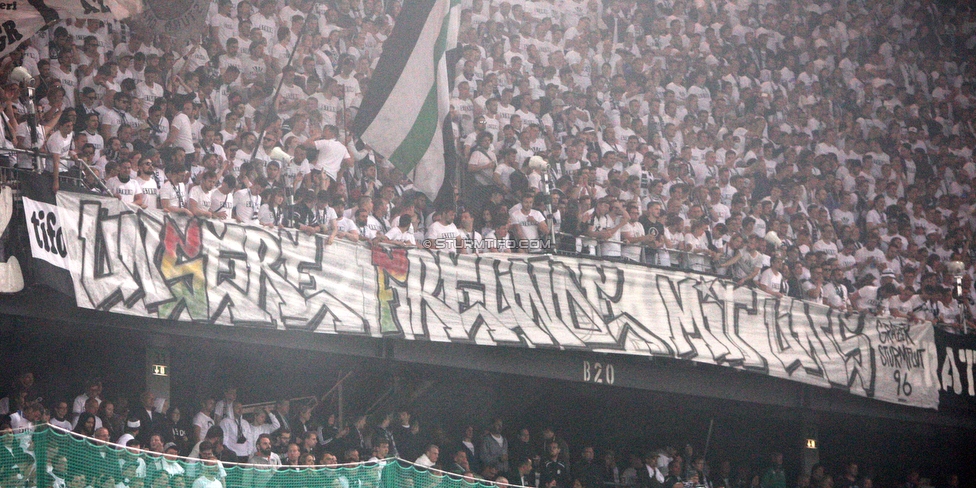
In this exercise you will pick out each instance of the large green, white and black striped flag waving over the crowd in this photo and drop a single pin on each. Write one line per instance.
(408, 97)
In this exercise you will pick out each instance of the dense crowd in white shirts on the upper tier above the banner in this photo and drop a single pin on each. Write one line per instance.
(821, 150)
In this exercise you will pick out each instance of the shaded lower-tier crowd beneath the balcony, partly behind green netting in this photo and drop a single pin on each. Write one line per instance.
(158, 445)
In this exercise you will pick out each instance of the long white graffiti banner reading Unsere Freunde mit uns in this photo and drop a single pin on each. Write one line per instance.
(139, 263)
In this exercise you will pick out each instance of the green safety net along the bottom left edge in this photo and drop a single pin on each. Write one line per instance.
(48, 458)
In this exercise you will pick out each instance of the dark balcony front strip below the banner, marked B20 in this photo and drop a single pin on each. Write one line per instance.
(618, 371)
